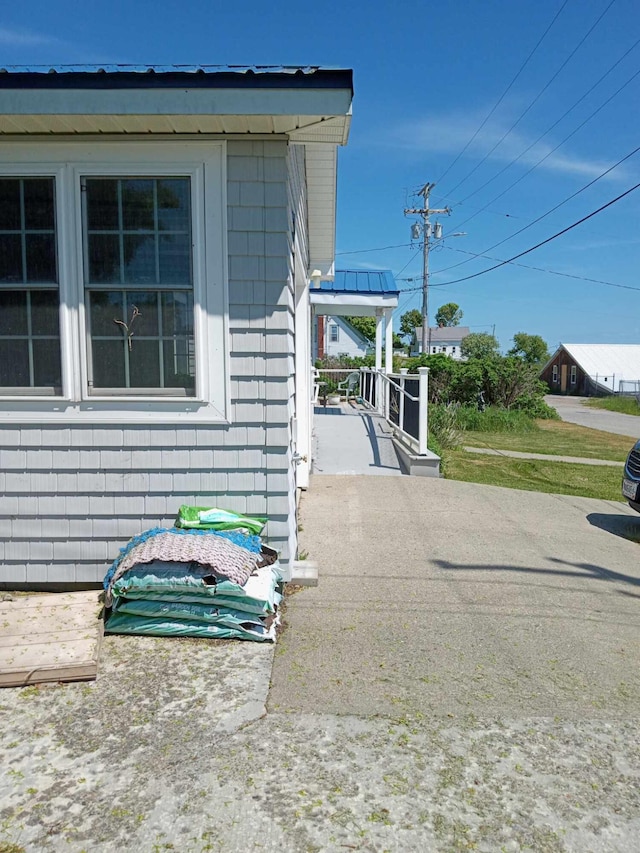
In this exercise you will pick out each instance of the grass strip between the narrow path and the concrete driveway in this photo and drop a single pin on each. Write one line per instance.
(534, 475)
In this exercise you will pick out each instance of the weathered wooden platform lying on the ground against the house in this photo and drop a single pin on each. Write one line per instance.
(49, 638)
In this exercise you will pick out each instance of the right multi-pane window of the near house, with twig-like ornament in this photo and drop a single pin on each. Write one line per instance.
(139, 284)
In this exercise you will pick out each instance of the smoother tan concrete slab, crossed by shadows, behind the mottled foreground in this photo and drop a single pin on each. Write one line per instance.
(439, 597)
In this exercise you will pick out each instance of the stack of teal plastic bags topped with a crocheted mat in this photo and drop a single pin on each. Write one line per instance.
(211, 576)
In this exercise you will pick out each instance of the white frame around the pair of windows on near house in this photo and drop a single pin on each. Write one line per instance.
(67, 162)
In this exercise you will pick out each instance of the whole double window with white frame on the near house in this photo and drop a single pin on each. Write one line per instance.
(113, 278)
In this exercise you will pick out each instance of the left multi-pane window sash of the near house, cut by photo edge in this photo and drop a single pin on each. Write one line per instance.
(29, 297)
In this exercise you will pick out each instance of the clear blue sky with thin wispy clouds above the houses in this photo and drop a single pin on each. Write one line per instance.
(426, 78)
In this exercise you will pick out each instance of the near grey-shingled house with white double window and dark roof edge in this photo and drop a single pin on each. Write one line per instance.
(159, 226)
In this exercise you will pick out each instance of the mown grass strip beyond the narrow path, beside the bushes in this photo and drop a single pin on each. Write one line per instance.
(557, 438)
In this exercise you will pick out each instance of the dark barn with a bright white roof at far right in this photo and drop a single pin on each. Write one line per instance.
(592, 370)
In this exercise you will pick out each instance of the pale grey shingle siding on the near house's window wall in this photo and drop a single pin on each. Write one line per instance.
(71, 496)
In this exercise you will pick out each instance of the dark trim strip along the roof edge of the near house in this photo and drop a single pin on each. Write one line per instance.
(174, 76)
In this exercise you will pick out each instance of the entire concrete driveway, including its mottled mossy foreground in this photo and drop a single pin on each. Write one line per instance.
(465, 677)
